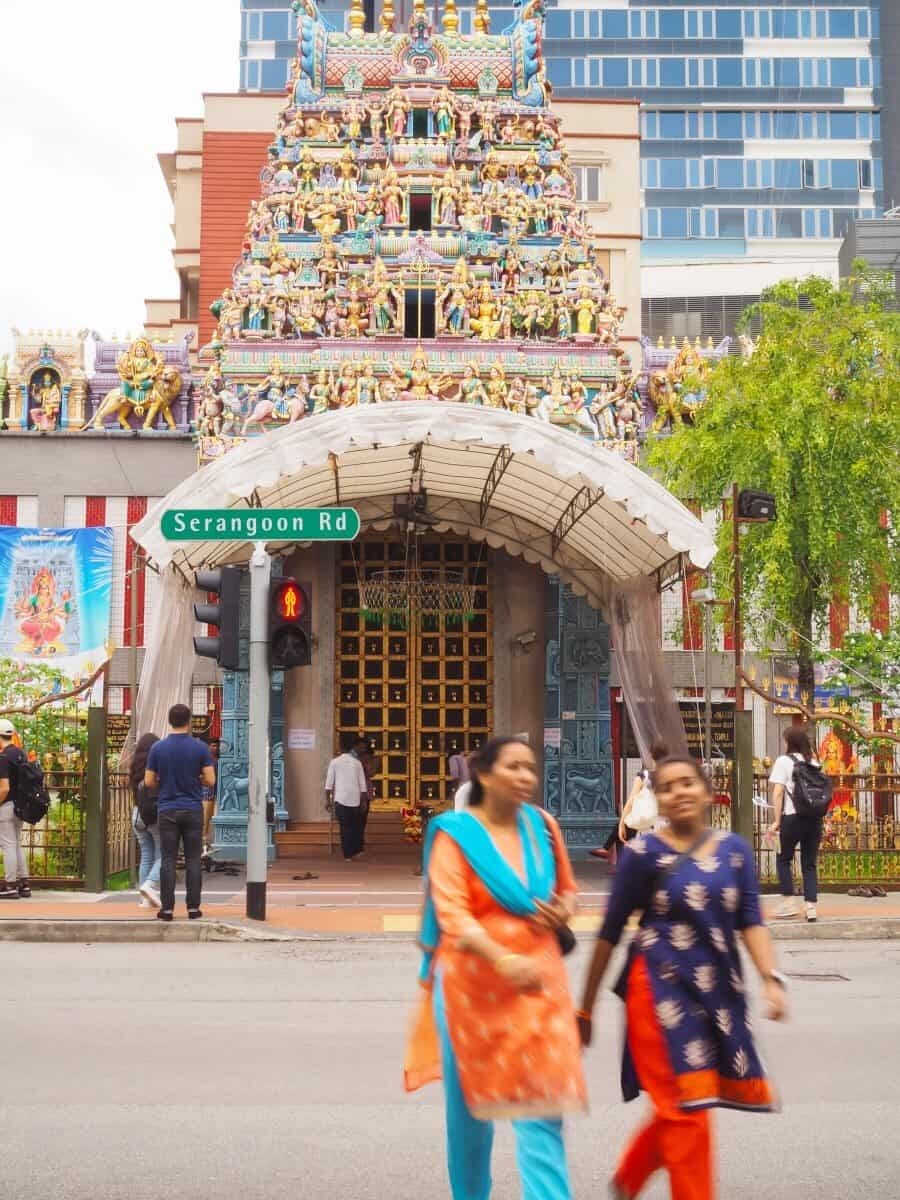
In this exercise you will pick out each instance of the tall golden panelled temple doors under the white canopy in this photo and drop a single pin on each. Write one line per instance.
(417, 685)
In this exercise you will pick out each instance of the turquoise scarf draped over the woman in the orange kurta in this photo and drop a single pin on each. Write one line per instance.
(485, 860)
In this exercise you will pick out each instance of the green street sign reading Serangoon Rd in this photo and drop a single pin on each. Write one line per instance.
(261, 525)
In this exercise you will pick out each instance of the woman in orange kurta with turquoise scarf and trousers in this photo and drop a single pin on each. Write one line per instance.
(497, 1019)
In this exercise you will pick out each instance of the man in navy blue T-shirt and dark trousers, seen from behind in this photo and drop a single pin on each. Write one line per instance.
(179, 769)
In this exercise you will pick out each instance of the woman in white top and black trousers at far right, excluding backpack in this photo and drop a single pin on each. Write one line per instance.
(803, 830)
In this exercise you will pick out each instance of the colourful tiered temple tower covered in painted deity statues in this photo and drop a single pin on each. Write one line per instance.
(418, 237)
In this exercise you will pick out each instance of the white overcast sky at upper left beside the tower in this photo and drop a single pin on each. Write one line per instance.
(89, 94)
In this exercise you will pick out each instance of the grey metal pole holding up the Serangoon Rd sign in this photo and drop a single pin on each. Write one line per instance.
(259, 747)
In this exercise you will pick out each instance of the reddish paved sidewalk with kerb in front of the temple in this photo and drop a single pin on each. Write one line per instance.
(379, 898)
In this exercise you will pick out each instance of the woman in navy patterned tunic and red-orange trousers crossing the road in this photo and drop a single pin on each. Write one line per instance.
(688, 1040)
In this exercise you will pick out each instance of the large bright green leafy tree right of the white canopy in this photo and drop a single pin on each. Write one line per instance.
(812, 417)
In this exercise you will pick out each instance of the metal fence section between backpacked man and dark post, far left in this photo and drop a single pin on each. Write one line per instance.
(55, 848)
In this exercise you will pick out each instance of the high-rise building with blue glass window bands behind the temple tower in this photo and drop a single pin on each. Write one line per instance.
(761, 130)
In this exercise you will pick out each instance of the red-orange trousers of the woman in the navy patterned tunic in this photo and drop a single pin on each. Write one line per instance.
(674, 1139)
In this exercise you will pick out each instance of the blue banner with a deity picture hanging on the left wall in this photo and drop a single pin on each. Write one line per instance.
(56, 590)
